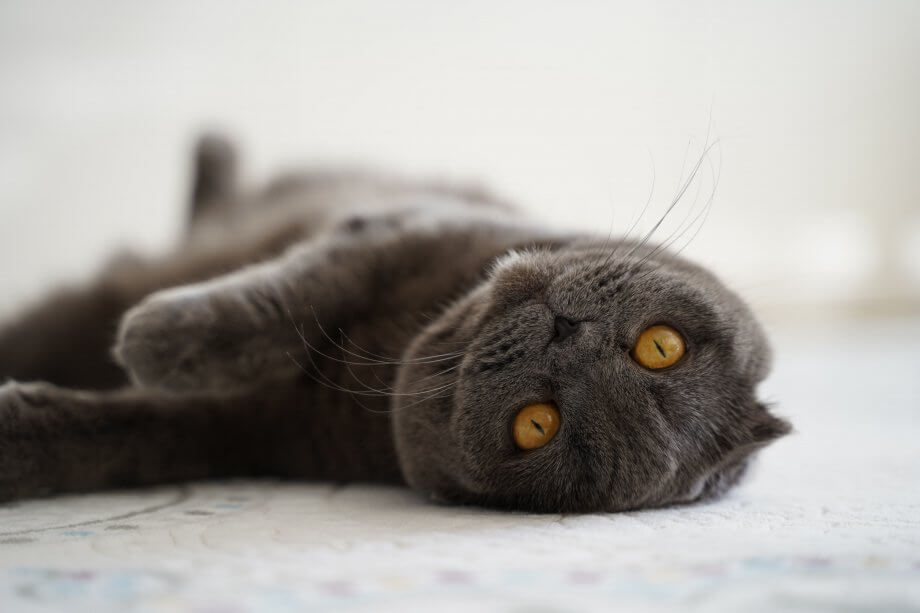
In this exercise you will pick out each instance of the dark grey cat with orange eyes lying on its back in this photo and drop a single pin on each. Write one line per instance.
(353, 326)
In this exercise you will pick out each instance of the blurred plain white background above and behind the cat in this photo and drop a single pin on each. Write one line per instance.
(566, 107)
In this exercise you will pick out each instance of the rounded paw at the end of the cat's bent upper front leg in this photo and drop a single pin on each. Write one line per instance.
(160, 341)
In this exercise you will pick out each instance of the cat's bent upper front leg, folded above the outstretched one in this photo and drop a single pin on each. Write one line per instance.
(249, 325)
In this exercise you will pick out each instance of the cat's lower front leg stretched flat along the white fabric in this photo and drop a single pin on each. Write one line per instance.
(59, 440)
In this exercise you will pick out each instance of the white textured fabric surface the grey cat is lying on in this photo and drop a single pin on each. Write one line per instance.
(829, 520)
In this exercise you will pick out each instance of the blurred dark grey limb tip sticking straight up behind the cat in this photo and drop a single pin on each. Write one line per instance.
(214, 175)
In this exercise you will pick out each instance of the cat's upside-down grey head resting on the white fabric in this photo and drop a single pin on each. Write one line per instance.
(629, 435)
